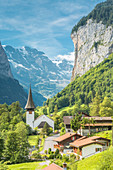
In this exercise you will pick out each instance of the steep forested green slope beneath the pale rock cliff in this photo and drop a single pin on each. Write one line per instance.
(99, 80)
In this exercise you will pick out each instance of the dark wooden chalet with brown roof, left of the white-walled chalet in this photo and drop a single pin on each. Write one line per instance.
(64, 141)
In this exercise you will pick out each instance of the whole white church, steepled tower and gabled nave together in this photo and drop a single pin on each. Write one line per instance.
(39, 121)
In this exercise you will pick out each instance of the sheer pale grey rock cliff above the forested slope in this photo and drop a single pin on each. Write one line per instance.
(93, 42)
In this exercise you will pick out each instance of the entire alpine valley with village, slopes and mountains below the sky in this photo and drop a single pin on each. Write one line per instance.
(48, 126)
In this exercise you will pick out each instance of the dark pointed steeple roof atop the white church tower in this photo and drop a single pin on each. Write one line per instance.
(30, 103)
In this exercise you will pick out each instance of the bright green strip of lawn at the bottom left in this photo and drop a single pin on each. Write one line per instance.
(27, 166)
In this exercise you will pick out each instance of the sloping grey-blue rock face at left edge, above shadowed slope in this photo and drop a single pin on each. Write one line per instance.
(4, 64)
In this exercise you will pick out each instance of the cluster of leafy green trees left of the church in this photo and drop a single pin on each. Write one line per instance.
(14, 146)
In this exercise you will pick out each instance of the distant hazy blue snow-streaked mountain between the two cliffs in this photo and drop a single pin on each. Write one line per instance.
(29, 65)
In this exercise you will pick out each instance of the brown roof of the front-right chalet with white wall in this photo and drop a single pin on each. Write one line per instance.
(86, 141)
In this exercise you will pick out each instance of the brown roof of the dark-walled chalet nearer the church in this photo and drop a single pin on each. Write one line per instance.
(65, 136)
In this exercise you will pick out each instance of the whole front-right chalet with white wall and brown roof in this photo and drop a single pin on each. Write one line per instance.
(86, 147)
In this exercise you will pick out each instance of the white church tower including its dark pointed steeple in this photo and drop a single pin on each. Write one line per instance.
(30, 110)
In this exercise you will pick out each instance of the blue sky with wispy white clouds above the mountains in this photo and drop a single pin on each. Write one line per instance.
(42, 24)
